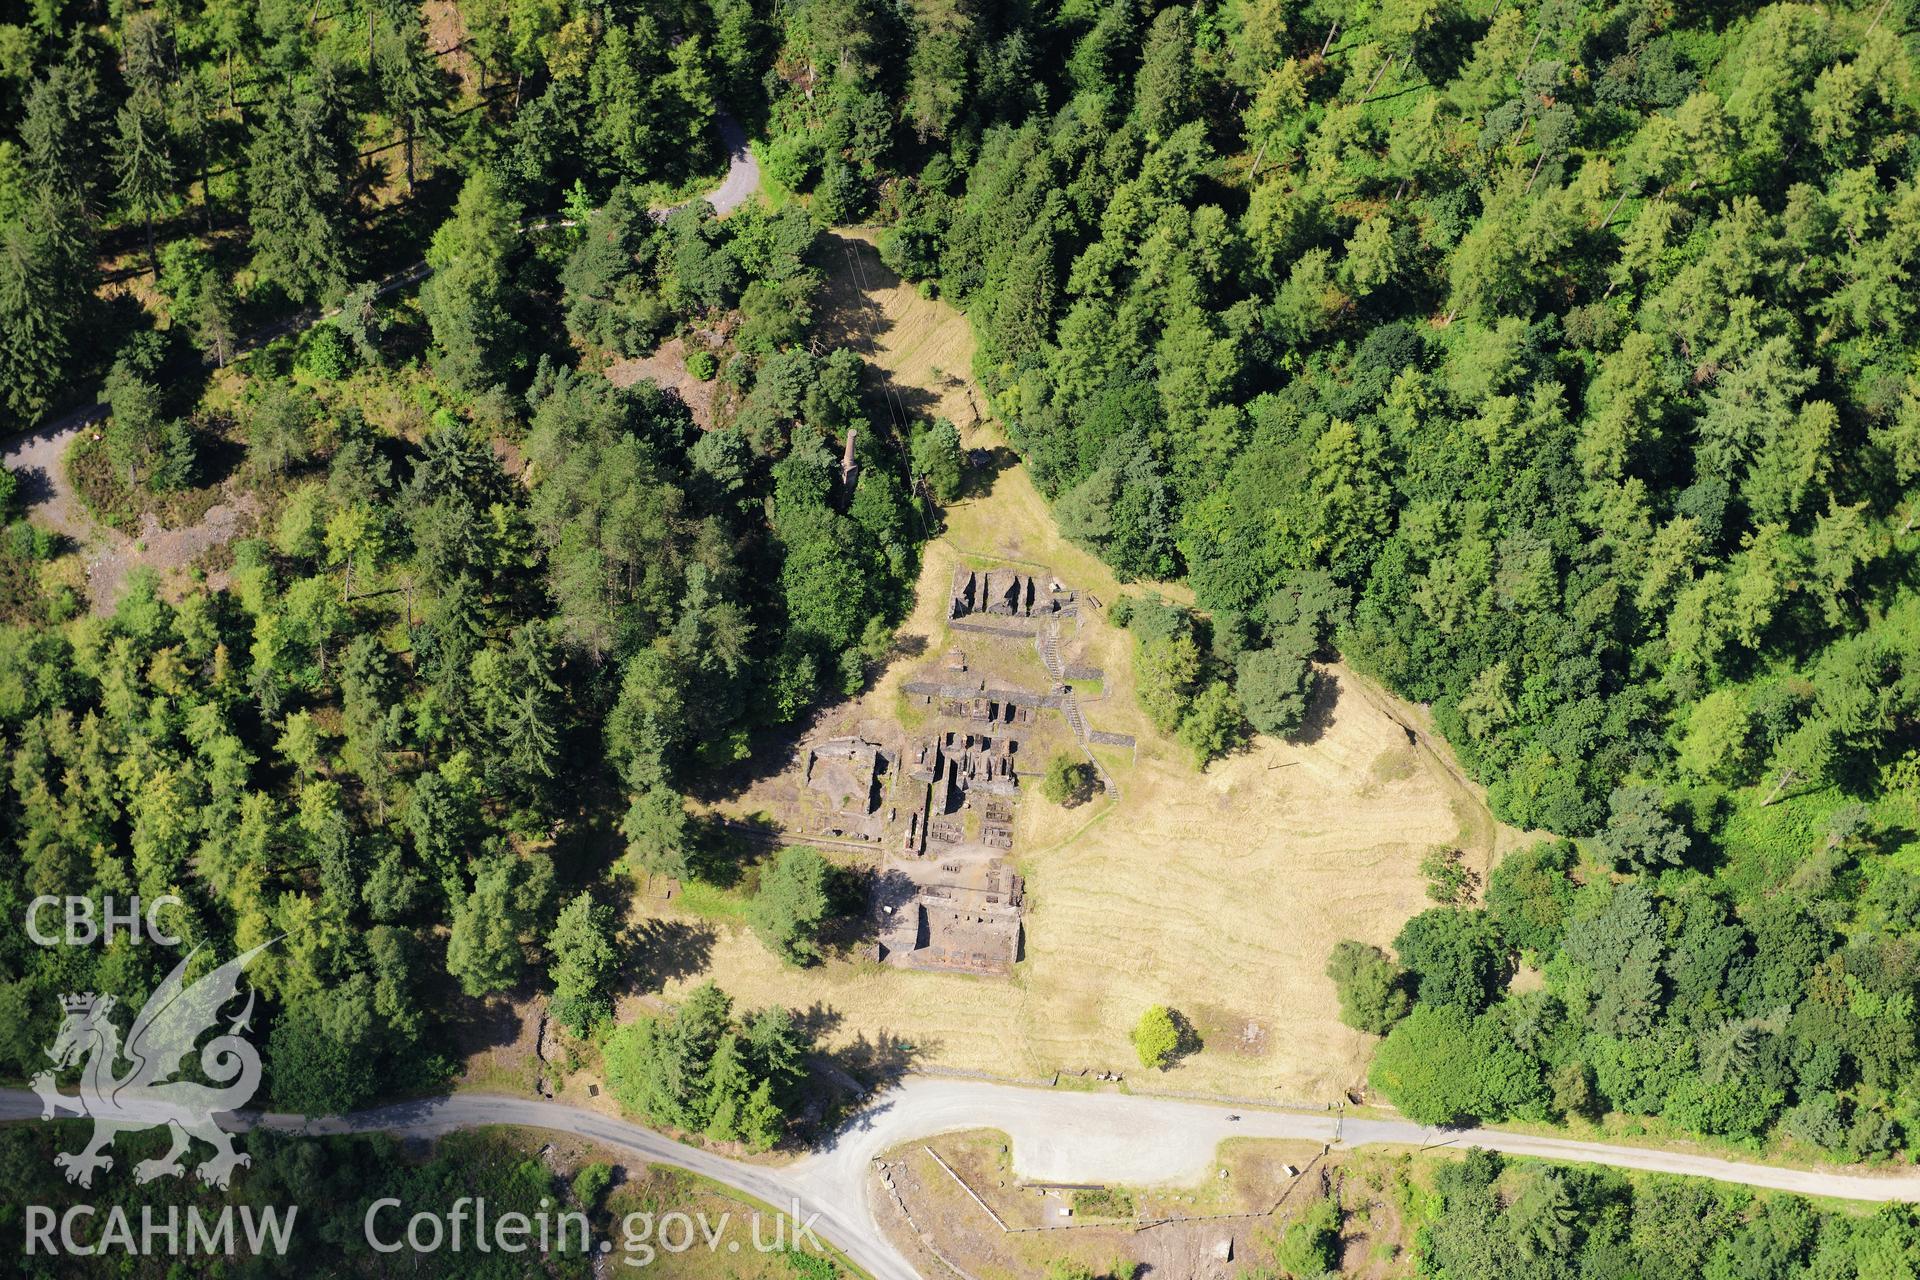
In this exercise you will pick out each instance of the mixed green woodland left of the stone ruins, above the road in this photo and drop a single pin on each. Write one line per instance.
(500, 609)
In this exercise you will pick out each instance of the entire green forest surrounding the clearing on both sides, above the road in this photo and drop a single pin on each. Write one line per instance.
(1552, 364)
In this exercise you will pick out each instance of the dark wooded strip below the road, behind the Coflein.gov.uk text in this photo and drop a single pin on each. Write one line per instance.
(324, 1189)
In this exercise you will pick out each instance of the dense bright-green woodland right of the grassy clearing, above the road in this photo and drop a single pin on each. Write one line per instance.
(1552, 364)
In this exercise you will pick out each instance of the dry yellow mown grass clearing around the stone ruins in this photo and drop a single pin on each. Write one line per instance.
(1216, 893)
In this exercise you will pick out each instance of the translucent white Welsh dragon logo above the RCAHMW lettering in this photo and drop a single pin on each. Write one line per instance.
(147, 1097)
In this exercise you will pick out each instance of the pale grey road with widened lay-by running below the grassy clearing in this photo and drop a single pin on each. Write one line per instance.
(1057, 1137)
